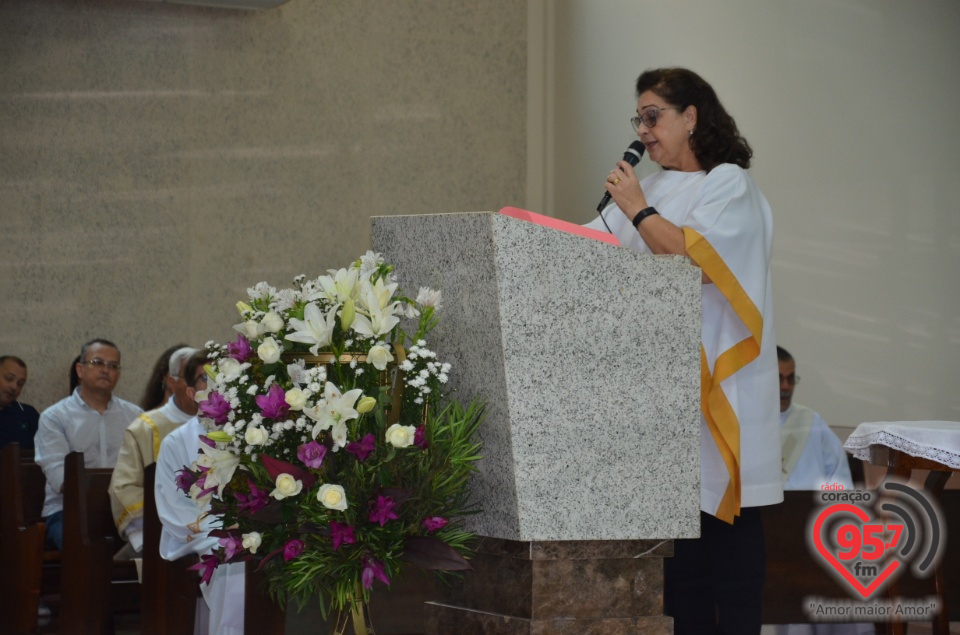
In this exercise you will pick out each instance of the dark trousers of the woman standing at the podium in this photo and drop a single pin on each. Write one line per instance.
(713, 585)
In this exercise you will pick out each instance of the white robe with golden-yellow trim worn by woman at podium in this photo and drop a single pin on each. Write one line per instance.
(728, 232)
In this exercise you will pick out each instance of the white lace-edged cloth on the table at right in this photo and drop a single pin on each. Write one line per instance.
(934, 440)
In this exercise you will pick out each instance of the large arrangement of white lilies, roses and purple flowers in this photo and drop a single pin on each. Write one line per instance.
(331, 456)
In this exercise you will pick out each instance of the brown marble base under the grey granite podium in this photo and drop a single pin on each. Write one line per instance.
(556, 588)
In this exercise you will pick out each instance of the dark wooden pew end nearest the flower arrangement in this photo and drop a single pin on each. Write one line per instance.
(169, 590)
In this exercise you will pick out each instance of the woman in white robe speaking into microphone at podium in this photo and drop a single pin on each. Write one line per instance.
(704, 205)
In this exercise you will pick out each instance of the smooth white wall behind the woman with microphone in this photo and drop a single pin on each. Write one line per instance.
(853, 110)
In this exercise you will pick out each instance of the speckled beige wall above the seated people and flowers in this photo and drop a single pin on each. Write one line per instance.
(156, 160)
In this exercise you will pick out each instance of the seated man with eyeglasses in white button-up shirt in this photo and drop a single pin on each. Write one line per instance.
(91, 420)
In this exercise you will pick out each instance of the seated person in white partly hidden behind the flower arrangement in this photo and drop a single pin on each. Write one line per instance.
(186, 527)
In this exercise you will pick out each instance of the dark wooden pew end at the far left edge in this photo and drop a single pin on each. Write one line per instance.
(27, 569)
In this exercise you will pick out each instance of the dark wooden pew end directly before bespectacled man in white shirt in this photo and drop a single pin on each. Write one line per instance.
(93, 586)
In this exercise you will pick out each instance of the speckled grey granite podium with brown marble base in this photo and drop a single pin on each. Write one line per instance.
(587, 357)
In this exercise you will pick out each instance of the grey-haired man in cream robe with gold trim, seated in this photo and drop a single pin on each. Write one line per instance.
(141, 444)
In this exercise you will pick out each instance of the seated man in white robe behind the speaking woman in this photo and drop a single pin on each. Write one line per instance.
(812, 454)
